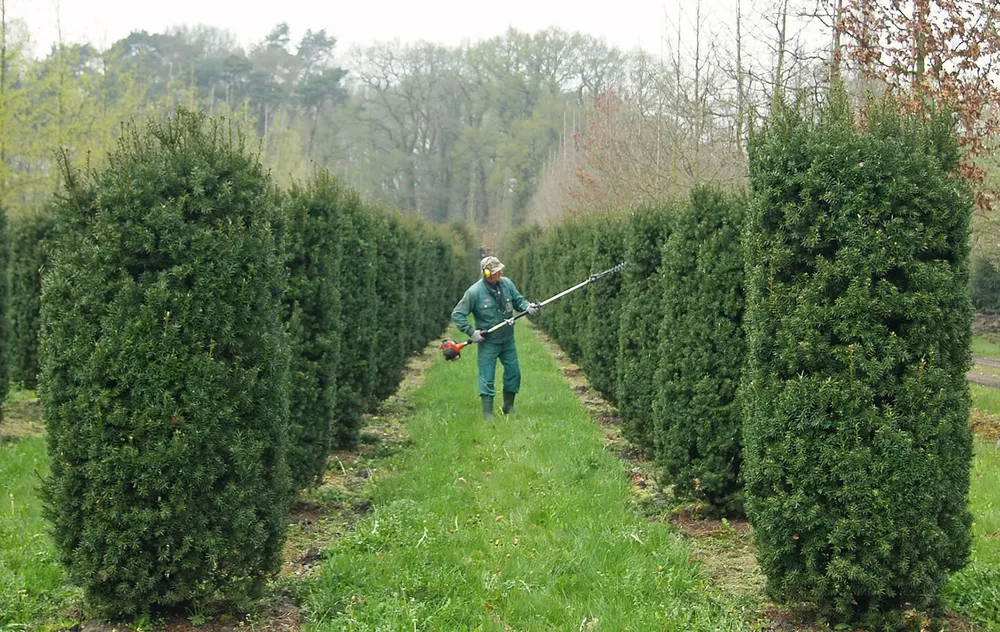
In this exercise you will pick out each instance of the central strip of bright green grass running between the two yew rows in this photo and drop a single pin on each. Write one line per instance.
(517, 524)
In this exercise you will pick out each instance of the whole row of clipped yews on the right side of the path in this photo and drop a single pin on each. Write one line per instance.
(796, 352)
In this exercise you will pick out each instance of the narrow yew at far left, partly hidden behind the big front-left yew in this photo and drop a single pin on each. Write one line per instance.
(28, 257)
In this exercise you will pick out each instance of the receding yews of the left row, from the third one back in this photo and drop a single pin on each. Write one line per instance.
(400, 278)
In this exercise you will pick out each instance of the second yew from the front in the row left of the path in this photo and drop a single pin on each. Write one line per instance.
(312, 311)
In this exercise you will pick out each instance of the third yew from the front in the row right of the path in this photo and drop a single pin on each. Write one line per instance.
(642, 303)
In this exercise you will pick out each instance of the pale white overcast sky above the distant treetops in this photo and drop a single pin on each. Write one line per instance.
(626, 24)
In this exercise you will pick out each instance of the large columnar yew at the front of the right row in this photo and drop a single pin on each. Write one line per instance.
(857, 445)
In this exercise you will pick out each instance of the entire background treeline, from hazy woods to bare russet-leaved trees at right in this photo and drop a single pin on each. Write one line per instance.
(519, 127)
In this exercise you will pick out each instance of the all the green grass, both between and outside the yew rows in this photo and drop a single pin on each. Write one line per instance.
(524, 524)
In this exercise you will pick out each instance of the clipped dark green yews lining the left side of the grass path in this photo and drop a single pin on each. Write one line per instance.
(205, 340)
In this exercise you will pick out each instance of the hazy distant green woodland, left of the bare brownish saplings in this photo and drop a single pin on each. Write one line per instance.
(446, 133)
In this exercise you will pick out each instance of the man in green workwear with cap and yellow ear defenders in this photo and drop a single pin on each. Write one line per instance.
(492, 300)
